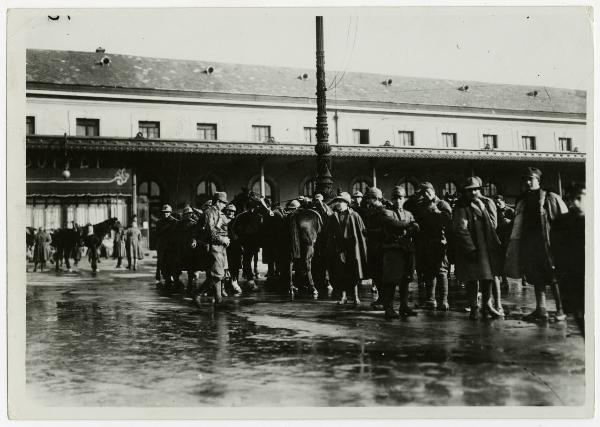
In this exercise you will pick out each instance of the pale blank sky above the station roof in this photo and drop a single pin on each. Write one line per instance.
(515, 45)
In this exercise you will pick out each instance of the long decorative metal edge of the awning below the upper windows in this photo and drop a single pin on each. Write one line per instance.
(107, 144)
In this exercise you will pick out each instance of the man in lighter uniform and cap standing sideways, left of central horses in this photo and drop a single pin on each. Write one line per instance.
(217, 237)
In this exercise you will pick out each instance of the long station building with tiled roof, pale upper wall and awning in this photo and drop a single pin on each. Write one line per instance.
(136, 132)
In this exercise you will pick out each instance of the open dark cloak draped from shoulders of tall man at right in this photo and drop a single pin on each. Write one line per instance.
(551, 207)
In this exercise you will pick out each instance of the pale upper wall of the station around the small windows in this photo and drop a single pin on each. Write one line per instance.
(234, 123)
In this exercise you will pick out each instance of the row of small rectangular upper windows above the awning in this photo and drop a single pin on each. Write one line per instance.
(261, 133)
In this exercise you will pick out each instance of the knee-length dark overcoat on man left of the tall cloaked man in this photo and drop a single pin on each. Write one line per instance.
(478, 248)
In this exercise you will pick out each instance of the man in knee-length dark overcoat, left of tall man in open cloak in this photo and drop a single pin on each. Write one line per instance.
(478, 248)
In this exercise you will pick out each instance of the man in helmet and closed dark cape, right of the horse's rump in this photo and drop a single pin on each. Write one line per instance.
(346, 248)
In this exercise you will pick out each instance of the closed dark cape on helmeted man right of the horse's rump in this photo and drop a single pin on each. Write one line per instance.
(346, 247)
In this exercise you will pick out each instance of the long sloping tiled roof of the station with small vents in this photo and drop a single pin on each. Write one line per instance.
(69, 68)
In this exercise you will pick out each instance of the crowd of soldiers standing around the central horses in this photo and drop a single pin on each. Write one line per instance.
(370, 237)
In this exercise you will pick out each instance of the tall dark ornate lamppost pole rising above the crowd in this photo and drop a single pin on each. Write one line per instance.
(323, 149)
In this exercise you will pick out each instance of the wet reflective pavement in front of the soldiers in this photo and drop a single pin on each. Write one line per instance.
(113, 340)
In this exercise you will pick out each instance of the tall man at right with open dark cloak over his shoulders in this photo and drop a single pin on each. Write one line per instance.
(529, 250)
